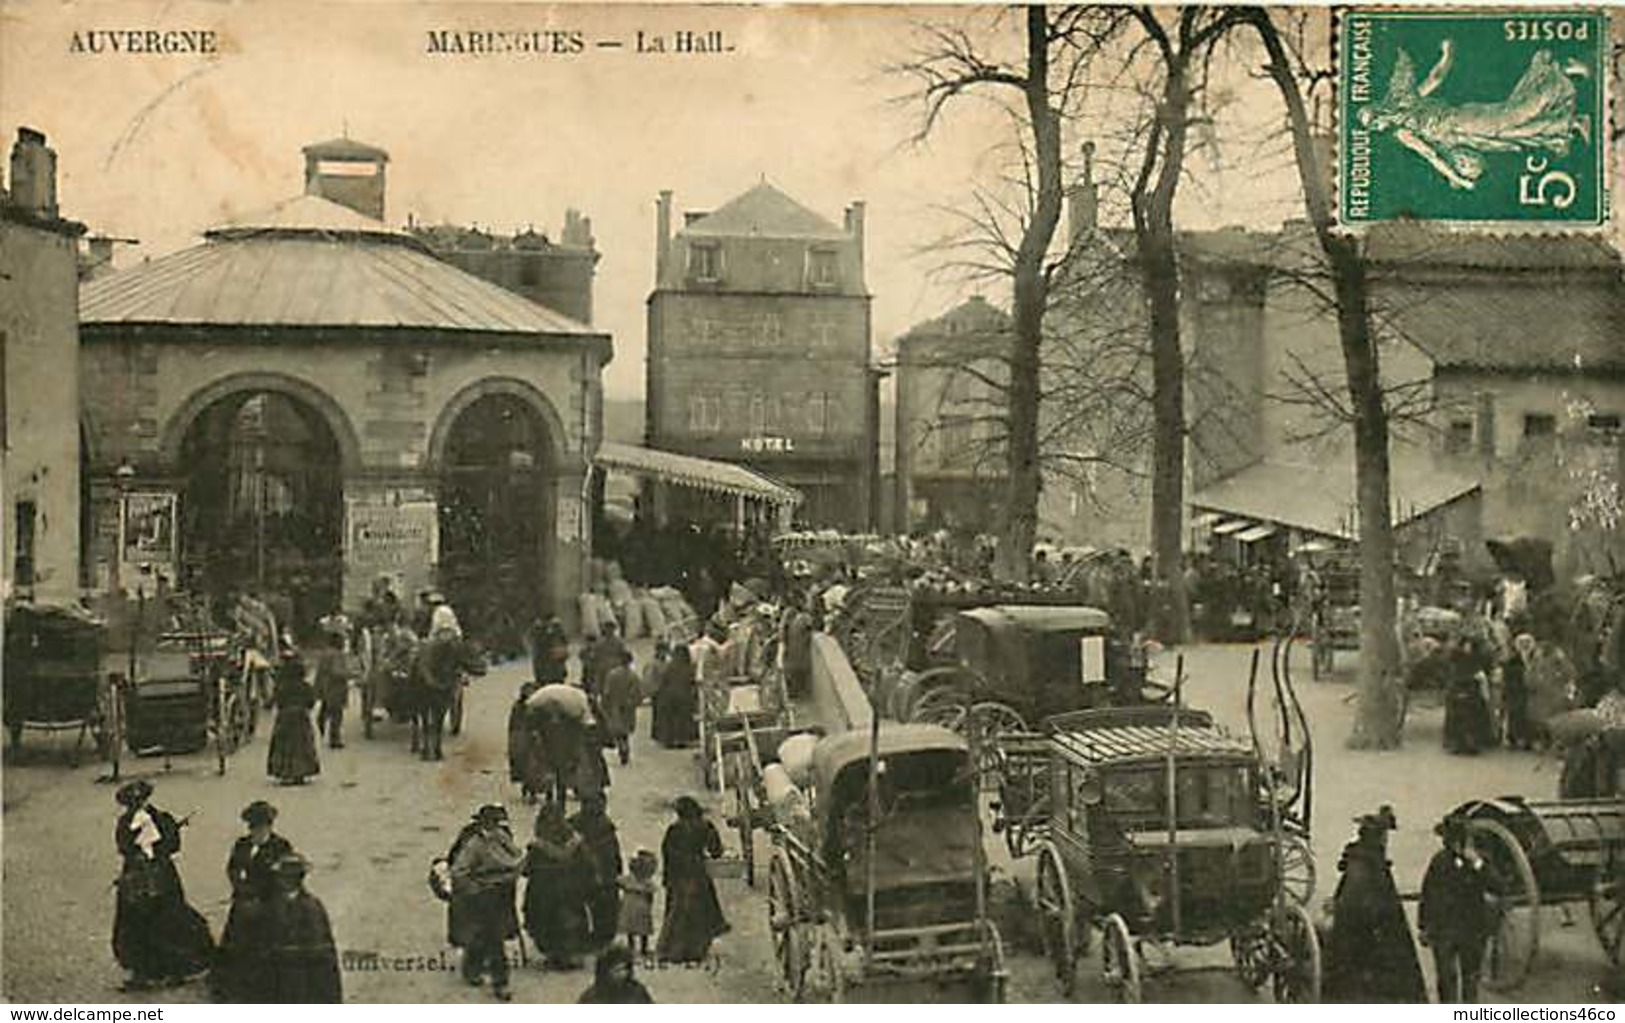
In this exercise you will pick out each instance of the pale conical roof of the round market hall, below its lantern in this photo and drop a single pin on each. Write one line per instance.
(310, 262)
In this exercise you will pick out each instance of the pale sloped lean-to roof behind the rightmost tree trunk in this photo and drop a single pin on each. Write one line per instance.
(1320, 498)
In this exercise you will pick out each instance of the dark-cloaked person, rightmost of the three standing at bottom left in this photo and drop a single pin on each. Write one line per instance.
(303, 959)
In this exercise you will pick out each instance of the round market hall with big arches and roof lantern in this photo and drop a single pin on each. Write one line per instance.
(310, 400)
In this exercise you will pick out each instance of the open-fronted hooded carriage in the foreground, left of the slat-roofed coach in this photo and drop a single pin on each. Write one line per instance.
(885, 887)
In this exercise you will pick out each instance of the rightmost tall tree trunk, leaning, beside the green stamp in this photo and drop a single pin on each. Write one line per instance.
(1379, 722)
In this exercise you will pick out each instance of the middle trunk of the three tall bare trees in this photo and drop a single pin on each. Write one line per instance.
(1161, 280)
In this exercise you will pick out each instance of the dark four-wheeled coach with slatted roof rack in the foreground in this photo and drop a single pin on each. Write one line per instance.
(1164, 832)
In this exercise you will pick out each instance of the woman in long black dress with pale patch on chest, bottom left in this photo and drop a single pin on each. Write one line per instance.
(157, 936)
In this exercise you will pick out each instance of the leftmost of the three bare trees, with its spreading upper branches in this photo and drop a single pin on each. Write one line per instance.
(1038, 88)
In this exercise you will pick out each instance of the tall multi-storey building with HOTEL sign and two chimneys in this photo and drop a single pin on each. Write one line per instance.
(760, 352)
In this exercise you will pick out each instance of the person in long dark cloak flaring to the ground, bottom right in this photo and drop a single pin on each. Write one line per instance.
(1369, 952)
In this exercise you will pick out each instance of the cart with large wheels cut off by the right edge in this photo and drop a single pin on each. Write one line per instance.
(1548, 853)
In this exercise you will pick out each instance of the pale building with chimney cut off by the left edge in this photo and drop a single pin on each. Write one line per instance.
(40, 386)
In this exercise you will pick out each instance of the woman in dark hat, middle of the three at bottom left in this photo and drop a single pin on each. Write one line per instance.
(240, 970)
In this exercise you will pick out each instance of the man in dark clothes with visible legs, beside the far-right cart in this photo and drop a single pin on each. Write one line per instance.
(1457, 913)
